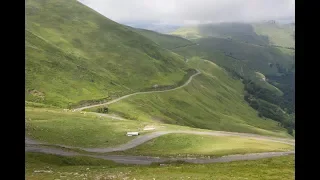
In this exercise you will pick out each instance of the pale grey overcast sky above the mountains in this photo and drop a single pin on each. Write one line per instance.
(192, 11)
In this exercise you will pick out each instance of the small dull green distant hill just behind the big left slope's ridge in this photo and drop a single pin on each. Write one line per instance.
(164, 40)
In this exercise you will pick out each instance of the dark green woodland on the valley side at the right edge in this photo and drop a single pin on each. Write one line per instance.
(268, 104)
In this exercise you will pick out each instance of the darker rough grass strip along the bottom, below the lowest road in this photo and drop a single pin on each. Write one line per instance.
(58, 167)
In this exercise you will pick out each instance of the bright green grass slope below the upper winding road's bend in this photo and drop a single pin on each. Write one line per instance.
(212, 100)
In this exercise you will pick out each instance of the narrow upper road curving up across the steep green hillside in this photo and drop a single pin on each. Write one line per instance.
(148, 92)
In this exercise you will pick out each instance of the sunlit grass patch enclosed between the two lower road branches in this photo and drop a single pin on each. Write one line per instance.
(187, 145)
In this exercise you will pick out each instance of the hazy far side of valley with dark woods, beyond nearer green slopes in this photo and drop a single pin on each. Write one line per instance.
(261, 54)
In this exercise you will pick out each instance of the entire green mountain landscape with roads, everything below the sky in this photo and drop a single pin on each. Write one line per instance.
(203, 98)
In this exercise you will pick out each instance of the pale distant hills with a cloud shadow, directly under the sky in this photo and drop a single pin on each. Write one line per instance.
(263, 34)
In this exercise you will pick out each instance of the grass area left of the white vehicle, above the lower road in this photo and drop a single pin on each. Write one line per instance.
(75, 129)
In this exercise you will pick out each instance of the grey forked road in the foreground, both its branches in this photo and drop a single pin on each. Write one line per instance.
(33, 146)
